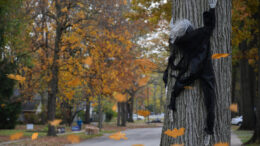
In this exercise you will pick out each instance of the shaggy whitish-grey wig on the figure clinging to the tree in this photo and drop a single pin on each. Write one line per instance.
(179, 28)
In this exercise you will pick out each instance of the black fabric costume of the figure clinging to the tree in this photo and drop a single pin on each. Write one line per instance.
(195, 47)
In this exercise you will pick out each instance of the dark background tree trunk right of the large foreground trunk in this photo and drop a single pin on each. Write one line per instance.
(247, 96)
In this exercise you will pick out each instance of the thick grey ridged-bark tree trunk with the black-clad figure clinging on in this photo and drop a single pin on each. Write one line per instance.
(191, 110)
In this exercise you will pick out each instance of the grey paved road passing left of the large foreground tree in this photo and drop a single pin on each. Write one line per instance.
(145, 136)
